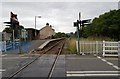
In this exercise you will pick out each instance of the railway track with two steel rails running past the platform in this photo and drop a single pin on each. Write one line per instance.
(52, 48)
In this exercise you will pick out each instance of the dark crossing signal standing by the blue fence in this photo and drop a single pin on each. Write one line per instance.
(16, 29)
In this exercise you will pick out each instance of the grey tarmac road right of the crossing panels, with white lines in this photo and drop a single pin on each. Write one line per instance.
(90, 67)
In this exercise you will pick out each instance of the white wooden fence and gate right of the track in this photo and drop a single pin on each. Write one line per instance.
(105, 48)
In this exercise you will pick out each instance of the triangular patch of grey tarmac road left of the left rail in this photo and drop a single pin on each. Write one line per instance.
(12, 63)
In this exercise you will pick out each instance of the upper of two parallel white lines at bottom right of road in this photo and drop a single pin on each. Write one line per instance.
(82, 72)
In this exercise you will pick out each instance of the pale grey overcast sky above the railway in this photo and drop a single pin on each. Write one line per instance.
(60, 15)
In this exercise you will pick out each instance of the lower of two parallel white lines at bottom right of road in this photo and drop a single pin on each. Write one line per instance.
(91, 75)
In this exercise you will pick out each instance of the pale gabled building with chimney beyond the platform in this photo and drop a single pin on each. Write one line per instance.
(46, 32)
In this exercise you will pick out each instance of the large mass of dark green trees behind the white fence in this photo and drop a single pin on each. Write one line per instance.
(106, 25)
